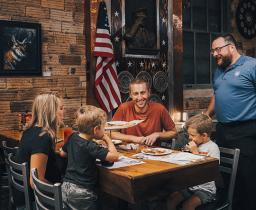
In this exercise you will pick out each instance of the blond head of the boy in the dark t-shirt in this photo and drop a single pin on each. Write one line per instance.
(88, 117)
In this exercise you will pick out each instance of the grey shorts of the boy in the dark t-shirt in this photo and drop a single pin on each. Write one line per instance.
(77, 197)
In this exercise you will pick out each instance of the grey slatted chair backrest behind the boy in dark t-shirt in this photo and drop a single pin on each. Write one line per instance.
(47, 196)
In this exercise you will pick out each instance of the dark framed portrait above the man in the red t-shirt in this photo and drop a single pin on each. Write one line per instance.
(141, 28)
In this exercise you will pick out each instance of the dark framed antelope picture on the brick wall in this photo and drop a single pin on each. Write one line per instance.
(20, 51)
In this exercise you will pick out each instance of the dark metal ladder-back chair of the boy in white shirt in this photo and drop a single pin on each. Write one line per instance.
(228, 168)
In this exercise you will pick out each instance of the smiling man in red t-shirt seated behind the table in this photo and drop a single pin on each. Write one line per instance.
(157, 123)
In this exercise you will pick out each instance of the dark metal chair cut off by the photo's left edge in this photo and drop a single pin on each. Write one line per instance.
(6, 151)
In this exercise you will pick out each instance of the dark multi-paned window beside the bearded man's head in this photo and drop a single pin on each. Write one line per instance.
(203, 20)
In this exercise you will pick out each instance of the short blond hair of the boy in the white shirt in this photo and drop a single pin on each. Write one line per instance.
(201, 123)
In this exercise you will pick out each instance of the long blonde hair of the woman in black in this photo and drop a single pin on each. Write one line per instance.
(44, 113)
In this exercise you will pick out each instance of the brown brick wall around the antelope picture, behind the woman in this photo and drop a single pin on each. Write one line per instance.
(63, 48)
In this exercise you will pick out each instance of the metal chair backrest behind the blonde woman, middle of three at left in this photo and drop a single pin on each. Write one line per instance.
(19, 176)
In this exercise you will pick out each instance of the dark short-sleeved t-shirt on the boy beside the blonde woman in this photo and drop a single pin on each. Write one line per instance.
(82, 155)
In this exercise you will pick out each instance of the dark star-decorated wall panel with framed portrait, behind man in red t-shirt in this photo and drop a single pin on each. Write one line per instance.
(136, 59)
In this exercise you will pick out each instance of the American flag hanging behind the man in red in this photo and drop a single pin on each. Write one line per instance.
(106, 88)
